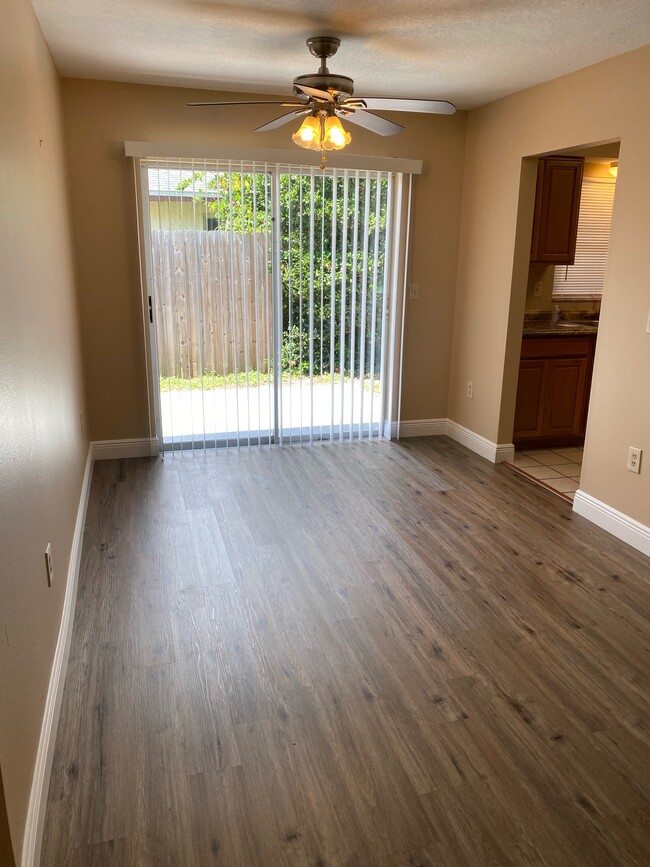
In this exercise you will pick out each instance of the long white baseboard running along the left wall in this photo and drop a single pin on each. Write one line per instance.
(32, 840)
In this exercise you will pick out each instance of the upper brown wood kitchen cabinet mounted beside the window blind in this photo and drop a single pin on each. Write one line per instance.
(557, 205)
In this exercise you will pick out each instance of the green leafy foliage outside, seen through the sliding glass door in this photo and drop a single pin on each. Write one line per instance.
(332, 250)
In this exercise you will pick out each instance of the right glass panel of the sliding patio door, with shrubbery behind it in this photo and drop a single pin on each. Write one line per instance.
(332, 252)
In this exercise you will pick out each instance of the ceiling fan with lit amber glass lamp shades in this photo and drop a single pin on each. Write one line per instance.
(322, 98)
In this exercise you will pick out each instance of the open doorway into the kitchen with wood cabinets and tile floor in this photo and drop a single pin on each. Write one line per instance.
(570, 238)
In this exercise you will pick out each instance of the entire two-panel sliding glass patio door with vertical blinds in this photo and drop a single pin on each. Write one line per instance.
(269, 301)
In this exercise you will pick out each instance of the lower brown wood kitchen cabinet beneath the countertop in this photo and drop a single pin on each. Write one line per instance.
(553, 391)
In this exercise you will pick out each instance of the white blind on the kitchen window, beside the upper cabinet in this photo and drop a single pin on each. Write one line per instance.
(586, 277)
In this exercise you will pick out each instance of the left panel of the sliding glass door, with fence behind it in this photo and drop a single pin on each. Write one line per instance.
(210, 235)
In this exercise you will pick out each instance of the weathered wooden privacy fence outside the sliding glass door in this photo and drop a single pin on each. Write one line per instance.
(212, 297)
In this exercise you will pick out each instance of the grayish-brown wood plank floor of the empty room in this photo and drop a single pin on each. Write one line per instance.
(374, 654)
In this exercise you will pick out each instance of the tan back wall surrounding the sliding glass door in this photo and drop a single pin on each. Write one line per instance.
(100, 116)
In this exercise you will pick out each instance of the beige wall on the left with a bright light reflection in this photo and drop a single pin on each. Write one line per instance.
(43, 449)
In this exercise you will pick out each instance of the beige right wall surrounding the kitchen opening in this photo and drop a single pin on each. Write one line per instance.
(602, 103)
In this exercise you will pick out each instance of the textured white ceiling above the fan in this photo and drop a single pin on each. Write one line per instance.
(467, 51)
